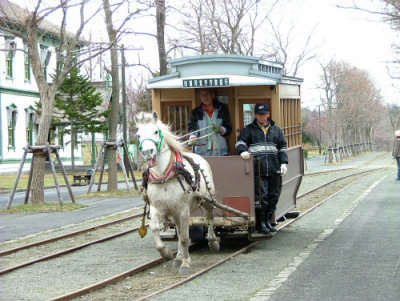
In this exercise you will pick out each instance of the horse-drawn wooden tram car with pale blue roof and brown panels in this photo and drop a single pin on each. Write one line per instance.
(240, 82)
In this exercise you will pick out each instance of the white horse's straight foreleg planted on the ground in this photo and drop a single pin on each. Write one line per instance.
(184, 241)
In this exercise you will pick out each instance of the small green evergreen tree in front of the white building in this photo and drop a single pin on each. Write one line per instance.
(79, 103)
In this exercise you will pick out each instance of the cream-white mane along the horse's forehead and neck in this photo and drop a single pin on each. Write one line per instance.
(170, 138)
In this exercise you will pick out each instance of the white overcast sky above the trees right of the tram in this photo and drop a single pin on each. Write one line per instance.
(360, 39)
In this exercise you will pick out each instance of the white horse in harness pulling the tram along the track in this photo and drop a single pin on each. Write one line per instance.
(173, 189)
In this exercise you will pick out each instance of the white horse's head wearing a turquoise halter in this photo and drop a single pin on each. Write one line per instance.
(150, 138)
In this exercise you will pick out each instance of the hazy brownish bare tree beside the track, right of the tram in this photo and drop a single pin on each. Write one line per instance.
(350, 98)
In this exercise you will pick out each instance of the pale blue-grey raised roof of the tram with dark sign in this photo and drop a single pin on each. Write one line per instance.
(221, 70)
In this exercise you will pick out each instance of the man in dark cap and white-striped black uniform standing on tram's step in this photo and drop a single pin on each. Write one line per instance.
(265, 141)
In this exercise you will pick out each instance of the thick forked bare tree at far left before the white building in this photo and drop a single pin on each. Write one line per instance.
(31, 27)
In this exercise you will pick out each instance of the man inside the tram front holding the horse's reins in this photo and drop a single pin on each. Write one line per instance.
(210, 117)
